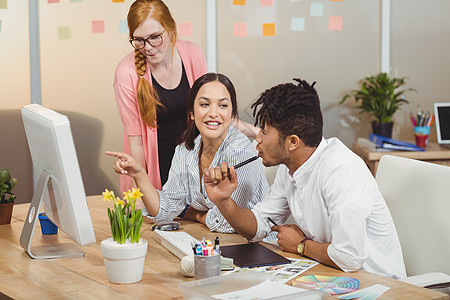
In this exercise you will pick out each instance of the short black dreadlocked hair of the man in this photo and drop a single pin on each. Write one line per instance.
(291, 109)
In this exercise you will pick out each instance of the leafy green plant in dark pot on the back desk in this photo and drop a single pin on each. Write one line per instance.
(380, 96)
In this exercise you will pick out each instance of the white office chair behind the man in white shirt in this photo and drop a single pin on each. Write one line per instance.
(418, 196)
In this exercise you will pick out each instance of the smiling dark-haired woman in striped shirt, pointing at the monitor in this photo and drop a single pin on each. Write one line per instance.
(208, 140)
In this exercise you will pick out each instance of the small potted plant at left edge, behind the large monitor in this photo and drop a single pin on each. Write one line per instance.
(7, 197)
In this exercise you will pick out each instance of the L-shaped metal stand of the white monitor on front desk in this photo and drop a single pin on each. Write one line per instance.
(45, 251)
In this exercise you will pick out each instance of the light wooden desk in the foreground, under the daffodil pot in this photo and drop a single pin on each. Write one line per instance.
(24, 278)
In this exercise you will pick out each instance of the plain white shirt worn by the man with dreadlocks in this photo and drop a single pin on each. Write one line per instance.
(334, 198)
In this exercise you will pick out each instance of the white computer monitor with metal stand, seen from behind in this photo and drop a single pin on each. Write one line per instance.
(58, 184)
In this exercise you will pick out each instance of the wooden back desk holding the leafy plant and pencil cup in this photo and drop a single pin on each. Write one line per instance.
(434, 154)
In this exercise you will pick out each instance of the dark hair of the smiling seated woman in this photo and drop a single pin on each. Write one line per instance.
(191, 131)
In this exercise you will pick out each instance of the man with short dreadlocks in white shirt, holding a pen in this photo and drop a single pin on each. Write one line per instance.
(341, 218)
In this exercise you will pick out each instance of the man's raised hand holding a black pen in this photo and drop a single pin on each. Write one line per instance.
(219, 183)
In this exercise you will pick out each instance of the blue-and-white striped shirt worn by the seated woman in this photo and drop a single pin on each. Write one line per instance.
(183, 185)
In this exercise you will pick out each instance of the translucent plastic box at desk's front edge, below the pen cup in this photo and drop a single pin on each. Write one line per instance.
(206, 288)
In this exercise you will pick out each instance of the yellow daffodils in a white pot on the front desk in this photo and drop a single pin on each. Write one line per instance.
(124, 253)
